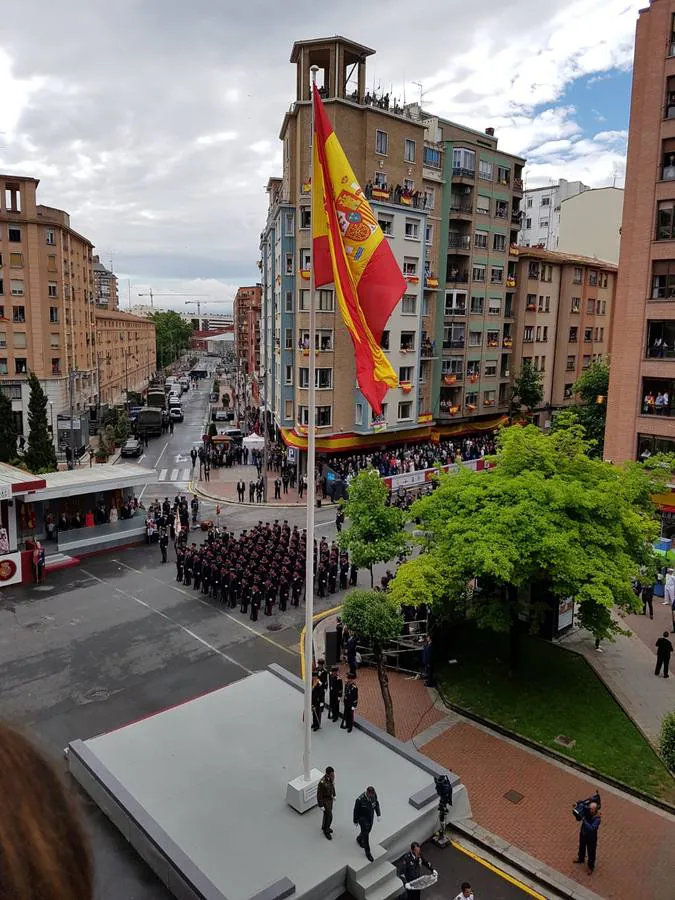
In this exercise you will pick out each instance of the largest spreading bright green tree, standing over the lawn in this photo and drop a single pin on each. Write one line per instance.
(547, 520)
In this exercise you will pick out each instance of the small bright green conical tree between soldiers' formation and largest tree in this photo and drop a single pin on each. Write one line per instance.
(376, 531)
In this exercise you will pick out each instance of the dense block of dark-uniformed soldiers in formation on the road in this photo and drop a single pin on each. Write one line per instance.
(261, 569)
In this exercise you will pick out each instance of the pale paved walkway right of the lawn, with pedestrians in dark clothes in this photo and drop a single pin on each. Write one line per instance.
(627, 668)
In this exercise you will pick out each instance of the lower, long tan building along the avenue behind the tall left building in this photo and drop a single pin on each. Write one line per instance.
(125, 354)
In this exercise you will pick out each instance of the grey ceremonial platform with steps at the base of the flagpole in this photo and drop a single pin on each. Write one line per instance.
(200, 792)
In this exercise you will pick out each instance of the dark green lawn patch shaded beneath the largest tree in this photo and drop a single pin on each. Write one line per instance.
(555, 693)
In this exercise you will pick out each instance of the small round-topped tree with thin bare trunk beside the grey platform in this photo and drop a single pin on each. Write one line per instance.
(374, 617)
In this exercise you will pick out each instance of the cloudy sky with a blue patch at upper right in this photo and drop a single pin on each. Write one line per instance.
(155, 122)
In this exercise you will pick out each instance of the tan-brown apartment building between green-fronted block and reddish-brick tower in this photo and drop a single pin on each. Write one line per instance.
(563, 313)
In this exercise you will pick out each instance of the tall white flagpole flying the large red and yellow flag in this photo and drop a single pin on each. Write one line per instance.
(311, 484)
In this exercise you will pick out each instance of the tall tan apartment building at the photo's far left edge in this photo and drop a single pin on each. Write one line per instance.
(46, 303)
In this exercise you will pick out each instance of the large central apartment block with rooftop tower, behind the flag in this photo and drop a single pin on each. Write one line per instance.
(434, 186)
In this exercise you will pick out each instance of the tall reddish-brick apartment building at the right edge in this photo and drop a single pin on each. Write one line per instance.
(643, 356)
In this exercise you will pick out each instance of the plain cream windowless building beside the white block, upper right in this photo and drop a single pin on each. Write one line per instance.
(590, 224)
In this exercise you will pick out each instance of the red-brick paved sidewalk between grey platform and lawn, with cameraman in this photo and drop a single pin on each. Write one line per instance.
(636, 853)
